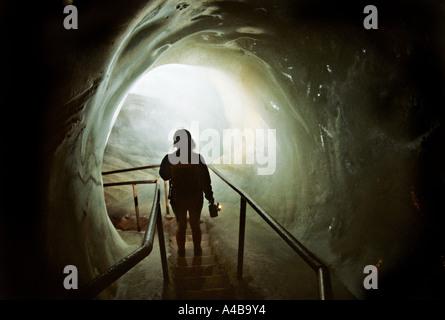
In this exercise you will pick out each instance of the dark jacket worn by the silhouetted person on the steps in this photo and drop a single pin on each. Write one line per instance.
(187, 181)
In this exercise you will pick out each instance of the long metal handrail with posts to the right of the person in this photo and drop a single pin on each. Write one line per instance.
(324, 281)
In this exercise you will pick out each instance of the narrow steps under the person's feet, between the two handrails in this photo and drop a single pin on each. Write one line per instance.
(197, 278)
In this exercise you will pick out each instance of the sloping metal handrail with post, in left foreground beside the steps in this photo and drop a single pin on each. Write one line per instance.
(98, 284)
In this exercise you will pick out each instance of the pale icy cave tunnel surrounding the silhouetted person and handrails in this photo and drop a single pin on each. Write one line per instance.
(354, 170)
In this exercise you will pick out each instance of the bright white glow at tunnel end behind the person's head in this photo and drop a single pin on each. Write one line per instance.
(200, 99)
